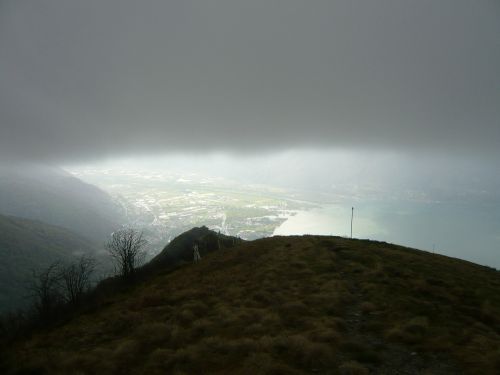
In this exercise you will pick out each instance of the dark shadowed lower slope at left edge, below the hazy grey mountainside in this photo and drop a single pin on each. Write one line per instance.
(26, 245)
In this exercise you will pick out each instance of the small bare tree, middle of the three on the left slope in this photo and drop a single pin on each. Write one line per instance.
(75, 279)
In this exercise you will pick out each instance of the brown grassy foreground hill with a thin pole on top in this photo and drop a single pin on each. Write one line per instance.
(287, 305)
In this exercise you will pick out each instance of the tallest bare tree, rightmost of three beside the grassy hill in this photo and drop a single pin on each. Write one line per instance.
(126, 248)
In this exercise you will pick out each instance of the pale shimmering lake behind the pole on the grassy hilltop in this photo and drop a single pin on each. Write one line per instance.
(466, 230)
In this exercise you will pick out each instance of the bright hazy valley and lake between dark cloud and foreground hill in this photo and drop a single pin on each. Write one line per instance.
(435, 204)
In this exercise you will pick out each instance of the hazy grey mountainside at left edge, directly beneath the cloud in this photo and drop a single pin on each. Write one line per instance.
(53, 196)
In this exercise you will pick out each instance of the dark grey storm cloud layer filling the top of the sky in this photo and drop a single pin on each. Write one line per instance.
(86, 79)
